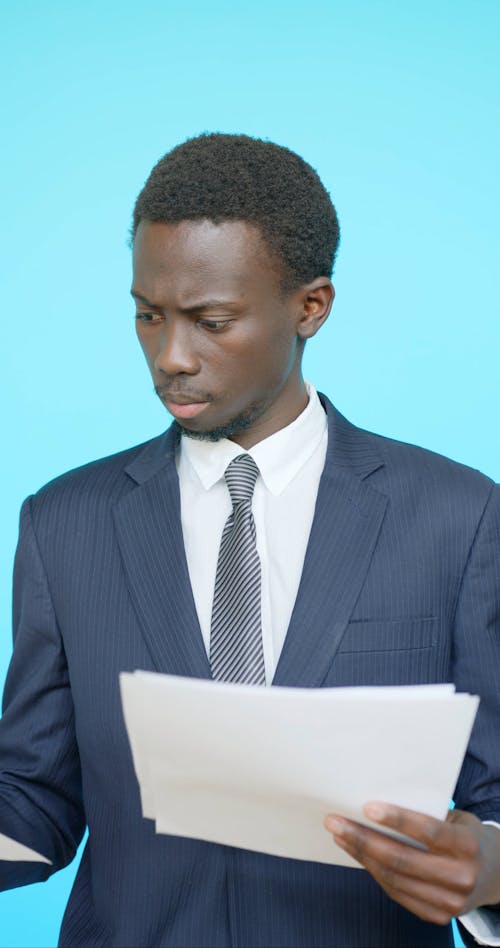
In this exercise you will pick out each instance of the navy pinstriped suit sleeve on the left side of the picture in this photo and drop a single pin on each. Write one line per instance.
(40, 781)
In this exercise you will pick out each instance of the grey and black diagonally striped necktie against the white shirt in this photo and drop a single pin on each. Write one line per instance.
(236, 652)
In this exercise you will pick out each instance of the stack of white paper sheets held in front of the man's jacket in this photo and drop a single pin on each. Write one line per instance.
(259, 768)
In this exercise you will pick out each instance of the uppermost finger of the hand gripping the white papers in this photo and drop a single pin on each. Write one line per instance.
(439, 836)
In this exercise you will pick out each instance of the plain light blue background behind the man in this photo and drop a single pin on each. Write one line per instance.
(396, 105)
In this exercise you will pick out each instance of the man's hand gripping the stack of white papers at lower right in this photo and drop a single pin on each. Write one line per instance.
(458, 871)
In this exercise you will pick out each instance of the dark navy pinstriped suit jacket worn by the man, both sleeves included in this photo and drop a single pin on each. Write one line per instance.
(400, 585)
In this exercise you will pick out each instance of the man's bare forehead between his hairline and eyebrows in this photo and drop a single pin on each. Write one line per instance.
(193, 257)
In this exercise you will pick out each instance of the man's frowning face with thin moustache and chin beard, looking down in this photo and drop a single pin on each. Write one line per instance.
(221, 340)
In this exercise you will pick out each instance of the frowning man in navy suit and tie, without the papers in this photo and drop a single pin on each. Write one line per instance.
(356, 560)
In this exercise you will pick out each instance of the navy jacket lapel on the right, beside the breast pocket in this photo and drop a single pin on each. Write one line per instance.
(347, 521)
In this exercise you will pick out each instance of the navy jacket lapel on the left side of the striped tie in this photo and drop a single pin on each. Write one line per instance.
(149, 531)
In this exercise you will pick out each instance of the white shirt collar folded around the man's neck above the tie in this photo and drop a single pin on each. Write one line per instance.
(279, 457)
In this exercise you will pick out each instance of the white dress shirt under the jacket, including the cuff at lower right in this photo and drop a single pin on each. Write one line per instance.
(290, 463)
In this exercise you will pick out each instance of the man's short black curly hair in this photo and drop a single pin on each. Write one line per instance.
(223, 177)
